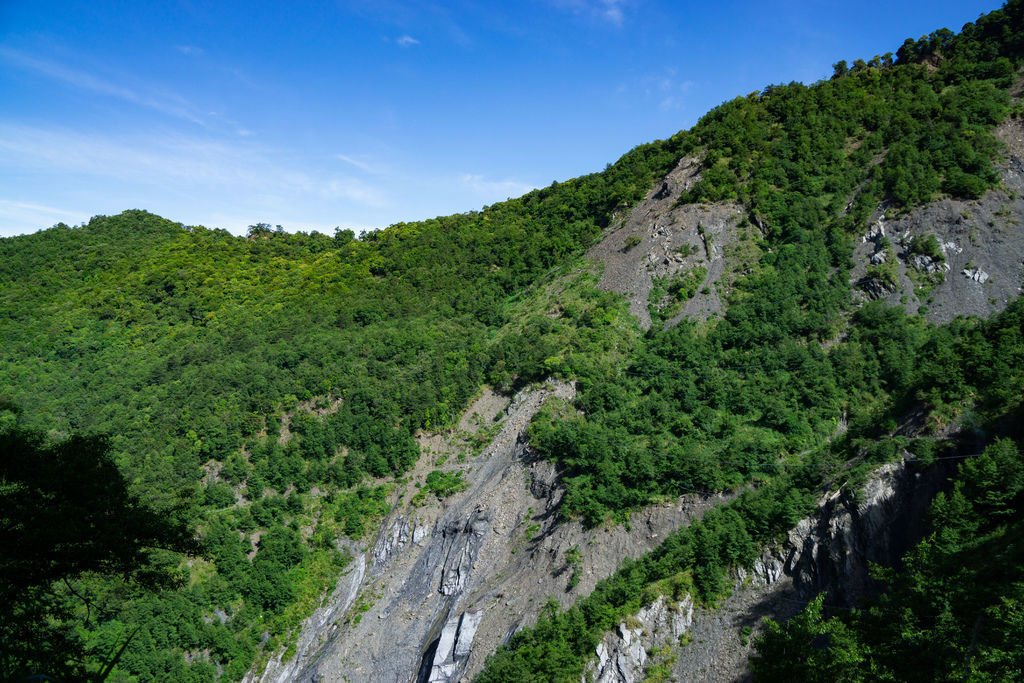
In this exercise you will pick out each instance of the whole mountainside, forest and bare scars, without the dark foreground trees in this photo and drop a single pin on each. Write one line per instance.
(303, 397)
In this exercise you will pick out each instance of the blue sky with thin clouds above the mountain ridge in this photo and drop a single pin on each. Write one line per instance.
(322, 114)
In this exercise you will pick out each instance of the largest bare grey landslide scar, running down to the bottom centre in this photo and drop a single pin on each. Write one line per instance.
(446, 583)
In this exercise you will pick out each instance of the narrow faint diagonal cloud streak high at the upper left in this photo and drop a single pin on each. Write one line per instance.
(165, 103)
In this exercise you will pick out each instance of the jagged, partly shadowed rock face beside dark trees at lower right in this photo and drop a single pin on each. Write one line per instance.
(830, 551)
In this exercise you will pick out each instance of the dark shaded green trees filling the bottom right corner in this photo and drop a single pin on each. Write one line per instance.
(951, 613)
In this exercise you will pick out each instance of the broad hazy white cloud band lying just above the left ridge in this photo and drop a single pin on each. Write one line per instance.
(222, 181)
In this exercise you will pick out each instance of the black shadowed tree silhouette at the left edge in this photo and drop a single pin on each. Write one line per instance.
(66, 513)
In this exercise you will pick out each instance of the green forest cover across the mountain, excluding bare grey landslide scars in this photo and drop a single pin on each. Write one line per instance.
(270, 390)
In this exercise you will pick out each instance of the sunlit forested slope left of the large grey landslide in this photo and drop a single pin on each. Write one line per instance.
(272, 386)
